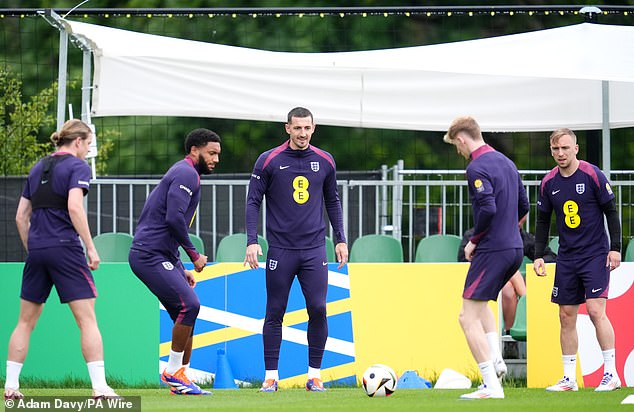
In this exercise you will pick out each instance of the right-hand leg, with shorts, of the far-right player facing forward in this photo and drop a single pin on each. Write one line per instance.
(596, 279)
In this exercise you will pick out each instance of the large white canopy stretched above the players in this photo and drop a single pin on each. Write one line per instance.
(580, 76)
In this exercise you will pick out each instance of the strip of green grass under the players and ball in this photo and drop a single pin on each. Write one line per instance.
(354, 399)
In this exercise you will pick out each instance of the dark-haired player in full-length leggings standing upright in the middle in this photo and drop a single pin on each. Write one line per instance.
(298, 181)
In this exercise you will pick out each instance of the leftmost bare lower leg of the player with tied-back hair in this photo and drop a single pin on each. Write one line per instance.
(19, 346)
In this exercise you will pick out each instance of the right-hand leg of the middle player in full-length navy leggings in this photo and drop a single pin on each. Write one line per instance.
(313, 278)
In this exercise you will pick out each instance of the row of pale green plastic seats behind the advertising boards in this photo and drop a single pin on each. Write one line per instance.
(114, 247)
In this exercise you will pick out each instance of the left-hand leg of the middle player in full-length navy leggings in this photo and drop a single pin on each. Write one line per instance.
(281, 267)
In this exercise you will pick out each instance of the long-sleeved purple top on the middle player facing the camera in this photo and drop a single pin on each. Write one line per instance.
(297, 185)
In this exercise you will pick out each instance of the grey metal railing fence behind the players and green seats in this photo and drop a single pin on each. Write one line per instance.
(406, 204)
